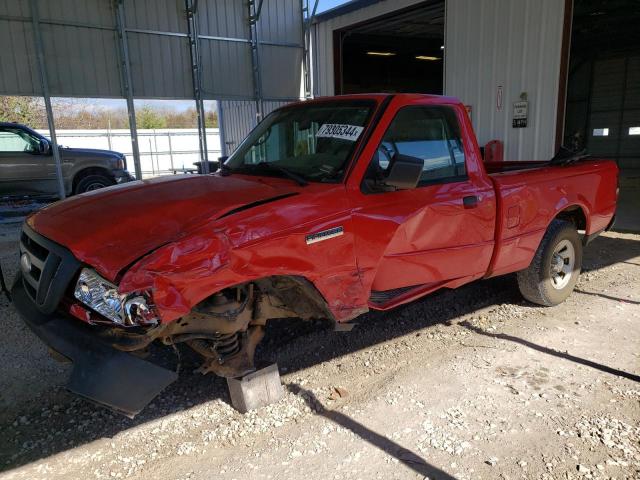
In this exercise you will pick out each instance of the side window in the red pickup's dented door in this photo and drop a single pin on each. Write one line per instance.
(430, 133)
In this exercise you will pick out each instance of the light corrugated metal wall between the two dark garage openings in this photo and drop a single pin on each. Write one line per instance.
(515, 44)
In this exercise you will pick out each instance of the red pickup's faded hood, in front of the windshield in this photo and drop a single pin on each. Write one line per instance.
(111, 228)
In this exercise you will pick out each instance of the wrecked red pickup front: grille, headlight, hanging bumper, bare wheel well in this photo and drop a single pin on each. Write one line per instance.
(111, 330)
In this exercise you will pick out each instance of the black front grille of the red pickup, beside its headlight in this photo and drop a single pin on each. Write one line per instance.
(51, 269)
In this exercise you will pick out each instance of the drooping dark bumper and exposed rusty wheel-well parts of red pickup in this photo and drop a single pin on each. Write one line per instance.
(224, 329)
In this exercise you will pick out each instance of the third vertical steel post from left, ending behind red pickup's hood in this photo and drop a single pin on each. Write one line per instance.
(196, 76)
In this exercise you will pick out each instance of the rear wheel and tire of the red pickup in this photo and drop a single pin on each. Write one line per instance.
(555, 267)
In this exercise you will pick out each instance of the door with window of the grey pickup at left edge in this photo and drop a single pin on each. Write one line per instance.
(23, 170)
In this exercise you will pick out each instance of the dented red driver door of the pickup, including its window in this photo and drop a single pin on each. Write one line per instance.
(440, 232)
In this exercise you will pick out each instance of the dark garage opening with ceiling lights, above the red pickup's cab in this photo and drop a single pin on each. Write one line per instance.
(401, 52)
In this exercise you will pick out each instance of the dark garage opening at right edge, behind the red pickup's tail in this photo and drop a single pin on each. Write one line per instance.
(603, 93)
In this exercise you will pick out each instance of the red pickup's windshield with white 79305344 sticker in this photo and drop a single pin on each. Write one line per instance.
(313, 142)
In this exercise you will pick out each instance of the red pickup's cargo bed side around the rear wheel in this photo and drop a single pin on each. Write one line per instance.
(528, 195)
